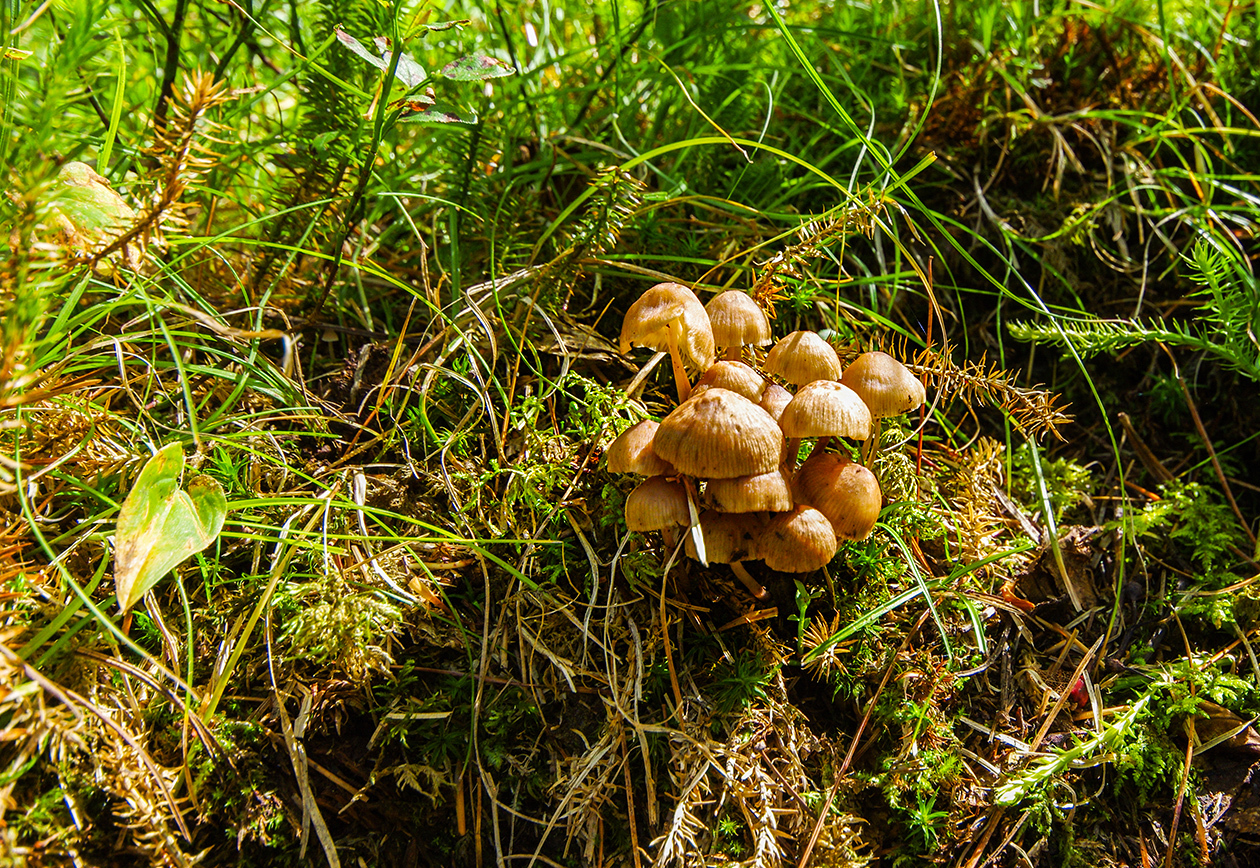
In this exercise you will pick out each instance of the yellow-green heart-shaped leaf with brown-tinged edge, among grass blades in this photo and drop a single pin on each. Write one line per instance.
(161, 527)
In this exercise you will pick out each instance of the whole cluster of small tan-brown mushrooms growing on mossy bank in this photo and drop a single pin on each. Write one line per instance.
(731, 444)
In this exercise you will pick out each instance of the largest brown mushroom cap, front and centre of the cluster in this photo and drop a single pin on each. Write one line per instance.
(718, 435)
